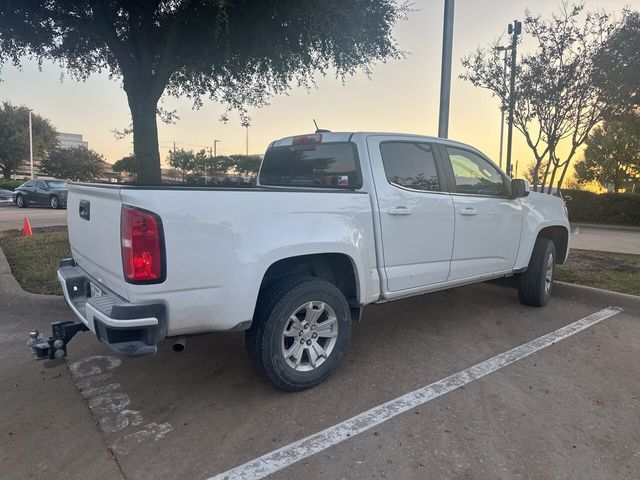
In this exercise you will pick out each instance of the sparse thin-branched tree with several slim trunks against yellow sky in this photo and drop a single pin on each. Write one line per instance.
(557, 101)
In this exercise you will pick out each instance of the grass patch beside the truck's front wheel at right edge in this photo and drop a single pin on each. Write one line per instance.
(618, 272)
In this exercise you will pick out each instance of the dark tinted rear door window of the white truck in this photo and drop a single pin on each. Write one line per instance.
(410, 165)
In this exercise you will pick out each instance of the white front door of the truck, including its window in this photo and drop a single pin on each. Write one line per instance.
(488, 223)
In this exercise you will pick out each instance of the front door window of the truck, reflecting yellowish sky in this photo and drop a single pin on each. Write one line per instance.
(474, 175)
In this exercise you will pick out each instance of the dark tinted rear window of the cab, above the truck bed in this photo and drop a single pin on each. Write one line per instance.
(322, 165)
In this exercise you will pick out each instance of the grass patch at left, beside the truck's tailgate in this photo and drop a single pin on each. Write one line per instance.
(34, 260)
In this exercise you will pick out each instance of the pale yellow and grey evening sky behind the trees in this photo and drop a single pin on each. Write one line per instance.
(400, 96)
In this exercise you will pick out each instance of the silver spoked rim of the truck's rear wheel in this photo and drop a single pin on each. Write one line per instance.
(309, 336)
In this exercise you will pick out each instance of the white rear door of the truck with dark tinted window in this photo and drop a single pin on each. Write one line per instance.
(416, 214)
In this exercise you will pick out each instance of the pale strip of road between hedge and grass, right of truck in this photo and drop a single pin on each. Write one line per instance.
(606, 240)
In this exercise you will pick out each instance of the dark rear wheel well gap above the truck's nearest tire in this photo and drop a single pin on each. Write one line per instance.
(335, 268)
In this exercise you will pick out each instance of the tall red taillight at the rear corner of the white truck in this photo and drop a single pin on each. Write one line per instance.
(142, 253)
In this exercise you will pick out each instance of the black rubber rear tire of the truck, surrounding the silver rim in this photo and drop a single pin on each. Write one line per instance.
(265, 341)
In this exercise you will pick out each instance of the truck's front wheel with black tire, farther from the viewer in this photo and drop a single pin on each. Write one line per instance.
(536, 284)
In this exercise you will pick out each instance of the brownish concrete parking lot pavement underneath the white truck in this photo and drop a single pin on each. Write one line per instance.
(569, 410)
